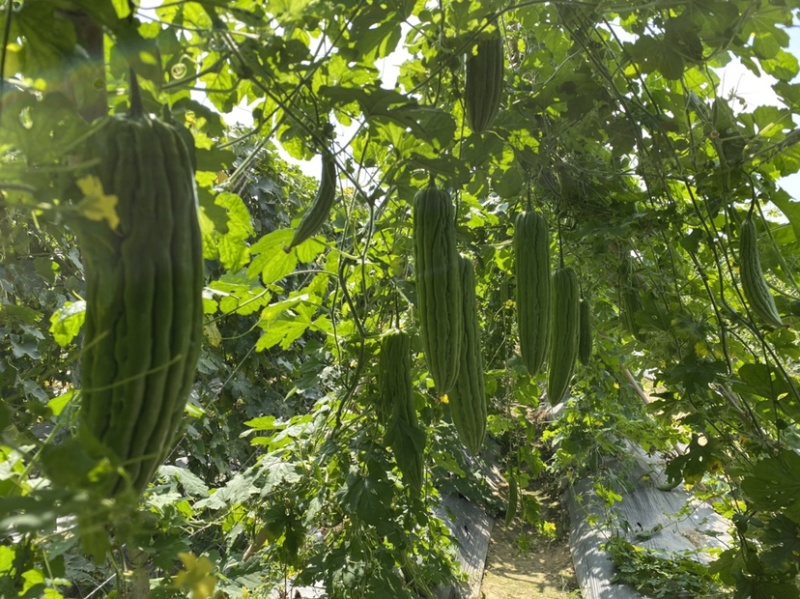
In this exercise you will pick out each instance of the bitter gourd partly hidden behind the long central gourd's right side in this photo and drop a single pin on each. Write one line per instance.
(468, 398)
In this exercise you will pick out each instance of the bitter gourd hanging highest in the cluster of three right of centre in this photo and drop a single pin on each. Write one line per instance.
(532, 271)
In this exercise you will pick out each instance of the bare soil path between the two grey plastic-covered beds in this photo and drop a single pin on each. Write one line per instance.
(522, 562)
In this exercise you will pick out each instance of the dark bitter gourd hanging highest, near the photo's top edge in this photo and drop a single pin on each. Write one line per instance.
(484, 81)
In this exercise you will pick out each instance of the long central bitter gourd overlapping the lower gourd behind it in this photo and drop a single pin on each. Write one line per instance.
(439, 301)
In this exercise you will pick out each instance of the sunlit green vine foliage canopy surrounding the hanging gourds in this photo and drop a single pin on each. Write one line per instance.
(611, 124)
